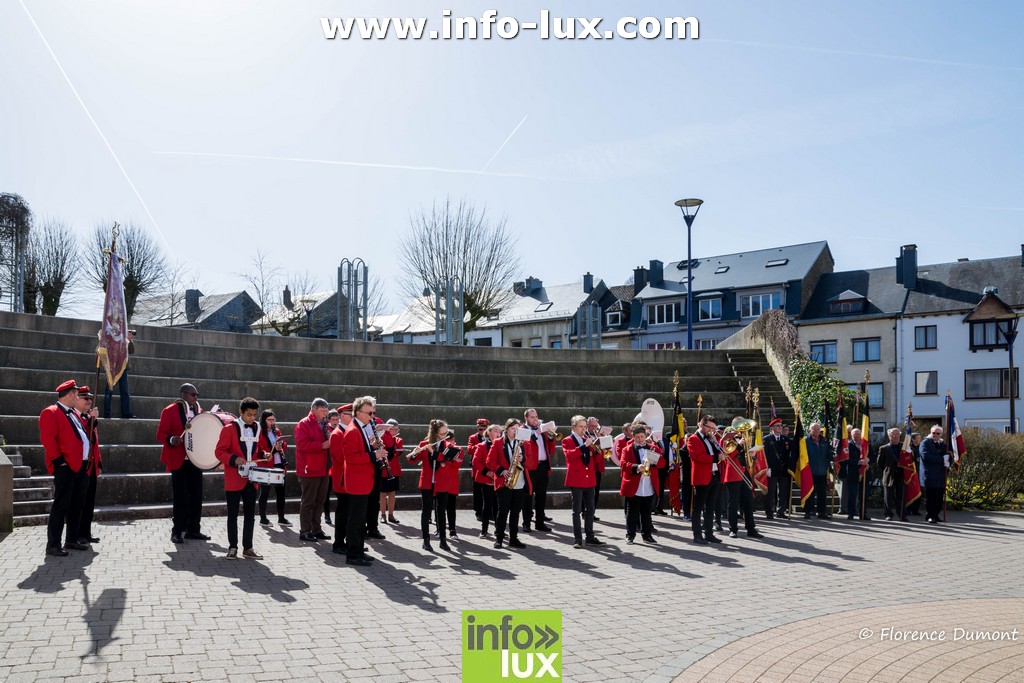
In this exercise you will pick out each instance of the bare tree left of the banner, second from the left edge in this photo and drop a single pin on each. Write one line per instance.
(53, 265)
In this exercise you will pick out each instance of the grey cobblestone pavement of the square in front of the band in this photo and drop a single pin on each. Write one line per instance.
(790, 608)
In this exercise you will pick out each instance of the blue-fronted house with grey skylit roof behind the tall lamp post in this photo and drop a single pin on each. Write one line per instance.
(731, 291)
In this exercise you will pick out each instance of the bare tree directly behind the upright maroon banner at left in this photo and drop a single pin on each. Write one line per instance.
(145, 267)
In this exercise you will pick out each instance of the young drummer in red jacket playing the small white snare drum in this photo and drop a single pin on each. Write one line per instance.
(240, 445)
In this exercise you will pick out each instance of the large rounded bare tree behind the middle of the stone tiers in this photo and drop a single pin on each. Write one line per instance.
(457, 241)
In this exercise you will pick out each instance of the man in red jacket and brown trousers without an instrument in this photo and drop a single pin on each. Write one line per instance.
(313, 440)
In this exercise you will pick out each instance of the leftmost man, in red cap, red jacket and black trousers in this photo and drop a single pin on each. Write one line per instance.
(67, 447)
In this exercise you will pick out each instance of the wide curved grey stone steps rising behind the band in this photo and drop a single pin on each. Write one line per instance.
(412, 383)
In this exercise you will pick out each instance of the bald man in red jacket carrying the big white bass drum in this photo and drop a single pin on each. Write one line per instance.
(187, 480)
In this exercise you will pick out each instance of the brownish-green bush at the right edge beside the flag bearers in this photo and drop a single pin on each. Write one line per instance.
(992, 475)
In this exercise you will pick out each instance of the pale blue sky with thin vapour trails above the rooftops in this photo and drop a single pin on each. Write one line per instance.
(227, 127)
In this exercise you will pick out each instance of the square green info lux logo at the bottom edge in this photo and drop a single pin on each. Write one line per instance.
(508, 646)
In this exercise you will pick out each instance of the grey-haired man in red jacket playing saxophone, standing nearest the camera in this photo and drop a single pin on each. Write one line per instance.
(361, 462)
